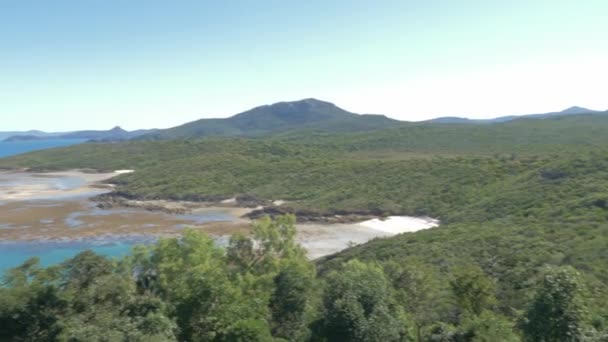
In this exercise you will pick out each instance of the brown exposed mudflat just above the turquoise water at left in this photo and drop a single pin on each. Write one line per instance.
(74, 219)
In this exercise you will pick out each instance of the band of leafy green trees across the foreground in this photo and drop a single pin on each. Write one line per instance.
(262, 288)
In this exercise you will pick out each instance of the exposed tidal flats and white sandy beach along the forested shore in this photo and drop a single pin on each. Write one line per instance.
(78, 205)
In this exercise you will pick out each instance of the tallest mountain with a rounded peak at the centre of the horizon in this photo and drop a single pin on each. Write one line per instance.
(276, 118)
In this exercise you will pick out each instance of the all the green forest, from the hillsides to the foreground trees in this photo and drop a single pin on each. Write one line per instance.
(521, 253)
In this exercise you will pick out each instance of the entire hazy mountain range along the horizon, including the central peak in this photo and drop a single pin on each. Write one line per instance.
(308, 114)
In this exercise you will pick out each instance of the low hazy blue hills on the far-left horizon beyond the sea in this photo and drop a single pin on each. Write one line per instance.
(115, 134)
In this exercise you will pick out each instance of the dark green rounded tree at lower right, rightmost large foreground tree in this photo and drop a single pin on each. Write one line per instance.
(558, 312)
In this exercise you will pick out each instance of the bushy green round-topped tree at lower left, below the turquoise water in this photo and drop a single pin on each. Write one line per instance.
(104, 304)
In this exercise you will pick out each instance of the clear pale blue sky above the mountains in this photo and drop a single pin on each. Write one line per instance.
(94, 64)
